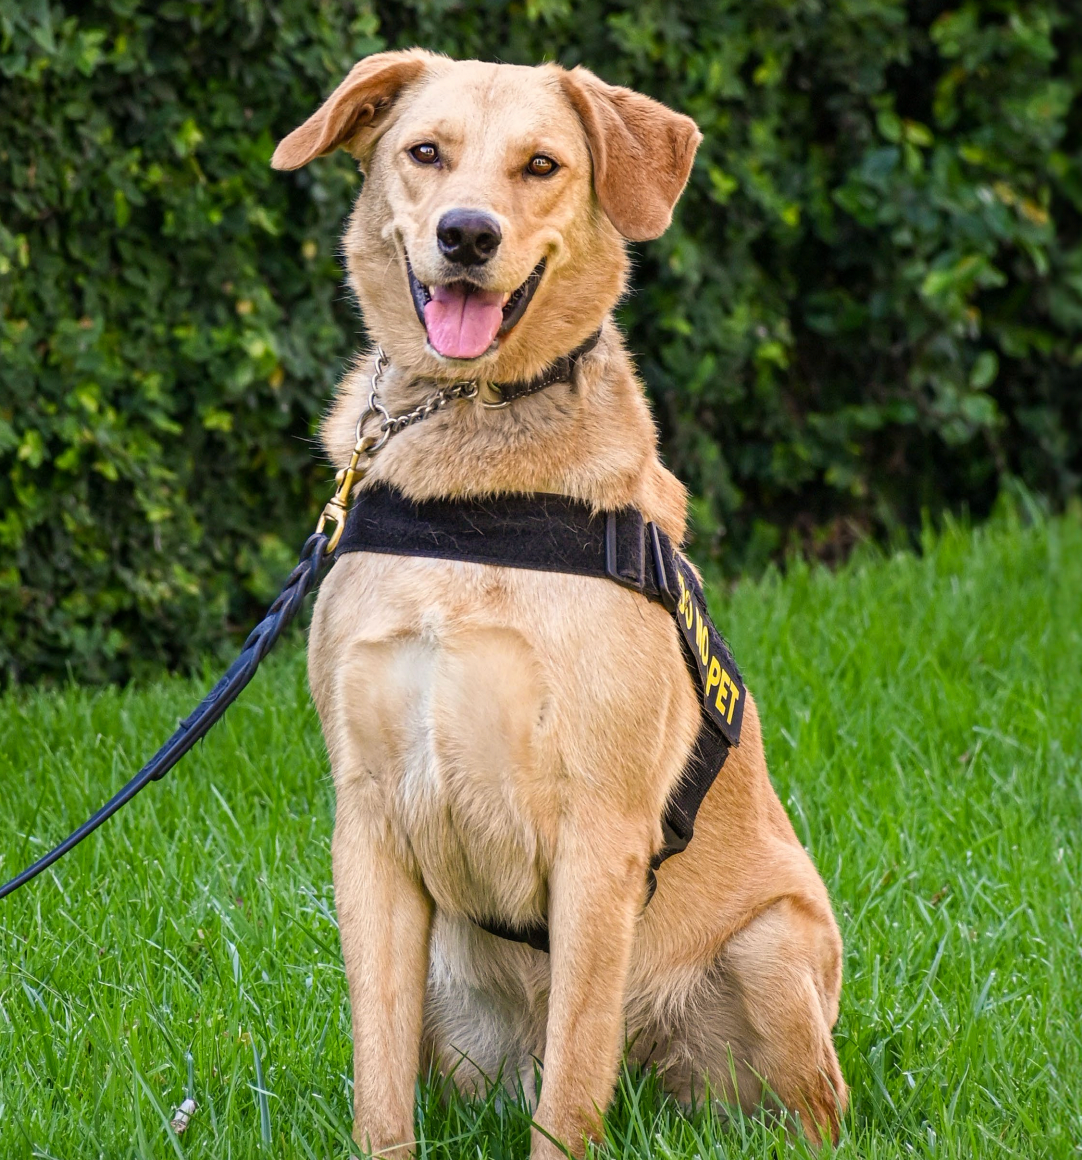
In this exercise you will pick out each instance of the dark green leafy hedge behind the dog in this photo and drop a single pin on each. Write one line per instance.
(870, 304)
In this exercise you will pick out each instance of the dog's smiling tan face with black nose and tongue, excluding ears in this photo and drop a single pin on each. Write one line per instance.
(485, 184)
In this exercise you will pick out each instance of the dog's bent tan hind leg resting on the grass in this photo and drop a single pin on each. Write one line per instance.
(763, 1018)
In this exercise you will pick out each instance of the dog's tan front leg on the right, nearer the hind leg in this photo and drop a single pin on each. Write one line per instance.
(596, 896)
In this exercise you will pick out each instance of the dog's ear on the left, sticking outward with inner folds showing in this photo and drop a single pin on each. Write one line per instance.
(354, 112)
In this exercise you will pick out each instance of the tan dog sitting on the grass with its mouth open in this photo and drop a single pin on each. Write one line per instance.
(504, 742)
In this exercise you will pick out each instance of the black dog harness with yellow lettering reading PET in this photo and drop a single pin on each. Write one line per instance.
(558, 534)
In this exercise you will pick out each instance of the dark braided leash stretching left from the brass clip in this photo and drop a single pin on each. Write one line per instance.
(209, 710)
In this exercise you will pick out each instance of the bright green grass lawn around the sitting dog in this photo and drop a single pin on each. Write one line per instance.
(924, 723)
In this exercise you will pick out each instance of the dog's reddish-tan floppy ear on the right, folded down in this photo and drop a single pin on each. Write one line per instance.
(642, 153)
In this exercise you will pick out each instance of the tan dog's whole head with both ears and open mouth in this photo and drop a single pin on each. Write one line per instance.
(489, 237)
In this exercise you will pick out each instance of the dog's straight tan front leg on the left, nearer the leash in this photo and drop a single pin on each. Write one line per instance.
(384, 920)
